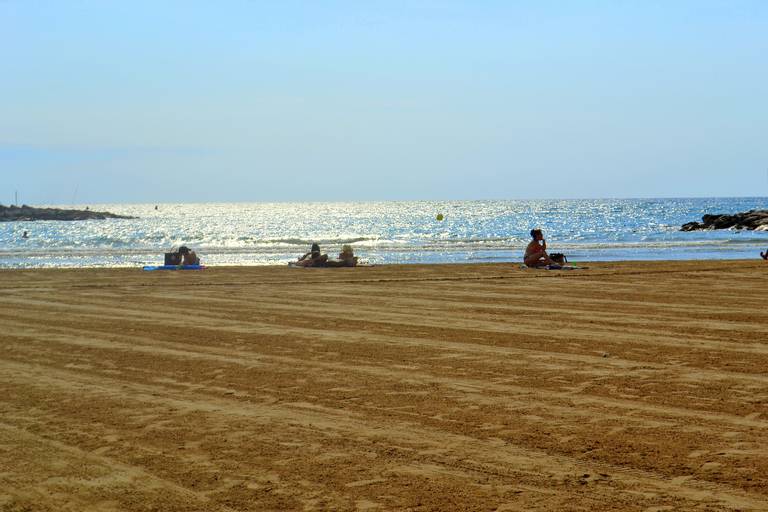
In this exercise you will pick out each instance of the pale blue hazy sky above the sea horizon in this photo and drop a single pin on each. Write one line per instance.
(149, 101)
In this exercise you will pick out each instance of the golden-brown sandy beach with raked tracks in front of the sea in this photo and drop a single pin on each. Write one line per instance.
(627, 386)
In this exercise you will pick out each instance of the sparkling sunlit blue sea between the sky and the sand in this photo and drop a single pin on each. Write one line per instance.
(384, 232)
